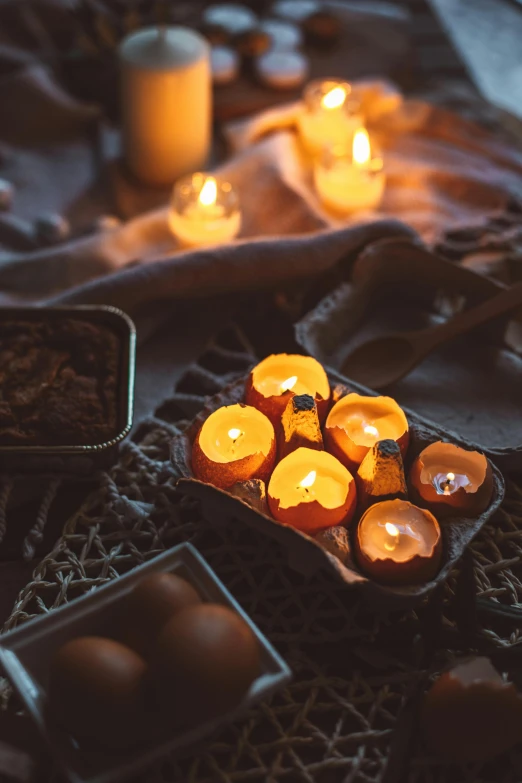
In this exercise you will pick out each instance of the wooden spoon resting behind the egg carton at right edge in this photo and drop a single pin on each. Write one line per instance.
(383, 361)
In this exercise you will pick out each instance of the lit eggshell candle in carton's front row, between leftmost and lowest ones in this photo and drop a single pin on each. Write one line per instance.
(310, 490)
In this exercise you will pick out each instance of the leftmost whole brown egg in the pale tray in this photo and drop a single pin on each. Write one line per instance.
(96, 691)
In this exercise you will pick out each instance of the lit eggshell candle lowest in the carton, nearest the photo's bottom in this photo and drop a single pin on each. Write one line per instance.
(398, 543)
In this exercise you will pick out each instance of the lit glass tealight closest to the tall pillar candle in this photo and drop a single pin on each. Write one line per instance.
(204, 211)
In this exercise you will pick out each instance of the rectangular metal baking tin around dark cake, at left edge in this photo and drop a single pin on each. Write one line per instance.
(78, 460)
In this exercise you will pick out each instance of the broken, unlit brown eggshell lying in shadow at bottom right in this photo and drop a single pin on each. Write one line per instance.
(470, 714)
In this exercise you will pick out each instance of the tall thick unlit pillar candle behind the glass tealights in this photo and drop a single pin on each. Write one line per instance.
(166, 103)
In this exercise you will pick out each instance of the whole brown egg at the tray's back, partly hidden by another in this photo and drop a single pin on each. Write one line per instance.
(153, 601)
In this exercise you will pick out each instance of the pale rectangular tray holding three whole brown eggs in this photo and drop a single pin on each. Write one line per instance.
(26, 652)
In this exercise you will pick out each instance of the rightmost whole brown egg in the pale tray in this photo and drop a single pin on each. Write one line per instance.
(205, 660)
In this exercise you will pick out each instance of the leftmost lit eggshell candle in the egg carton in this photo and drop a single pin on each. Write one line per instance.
(236, 443)
